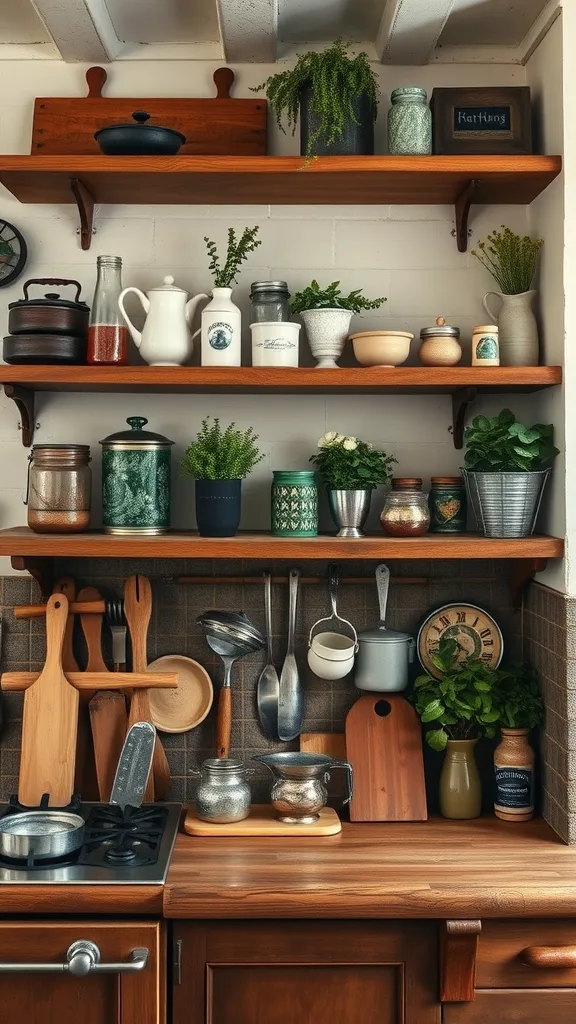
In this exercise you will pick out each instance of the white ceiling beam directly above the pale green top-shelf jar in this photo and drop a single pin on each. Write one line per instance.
(410, 29)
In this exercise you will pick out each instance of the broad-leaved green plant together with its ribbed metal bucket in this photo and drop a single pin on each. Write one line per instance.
(507, 466)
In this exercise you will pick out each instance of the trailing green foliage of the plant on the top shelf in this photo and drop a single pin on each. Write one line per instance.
(337, 80)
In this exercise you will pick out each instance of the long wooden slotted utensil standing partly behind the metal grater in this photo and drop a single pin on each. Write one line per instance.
(138, 611)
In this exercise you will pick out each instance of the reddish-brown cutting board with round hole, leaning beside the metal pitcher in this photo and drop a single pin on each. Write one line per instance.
(385, 748)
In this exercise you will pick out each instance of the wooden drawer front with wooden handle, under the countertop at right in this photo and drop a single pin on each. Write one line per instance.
(502, 955)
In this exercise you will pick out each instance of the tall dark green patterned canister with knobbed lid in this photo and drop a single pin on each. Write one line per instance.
(137, 481)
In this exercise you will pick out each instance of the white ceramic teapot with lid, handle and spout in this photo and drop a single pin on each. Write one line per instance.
(166, 339)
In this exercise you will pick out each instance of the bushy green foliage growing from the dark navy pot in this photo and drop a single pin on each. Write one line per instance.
(222, 455)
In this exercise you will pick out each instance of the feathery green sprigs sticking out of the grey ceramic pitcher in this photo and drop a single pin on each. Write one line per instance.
(511, 260)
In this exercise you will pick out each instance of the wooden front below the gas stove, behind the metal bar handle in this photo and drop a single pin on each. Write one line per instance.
(29, 997)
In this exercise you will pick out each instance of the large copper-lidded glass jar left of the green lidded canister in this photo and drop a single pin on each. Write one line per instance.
(59, 493)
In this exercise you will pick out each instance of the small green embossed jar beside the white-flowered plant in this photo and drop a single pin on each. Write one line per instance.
(295, 504)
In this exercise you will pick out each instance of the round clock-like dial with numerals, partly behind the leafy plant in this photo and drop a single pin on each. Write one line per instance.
(477, 634)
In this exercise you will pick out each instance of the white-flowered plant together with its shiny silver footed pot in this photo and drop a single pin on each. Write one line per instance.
(351, 470)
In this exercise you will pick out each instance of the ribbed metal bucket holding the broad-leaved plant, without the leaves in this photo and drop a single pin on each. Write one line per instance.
(506, 504)
